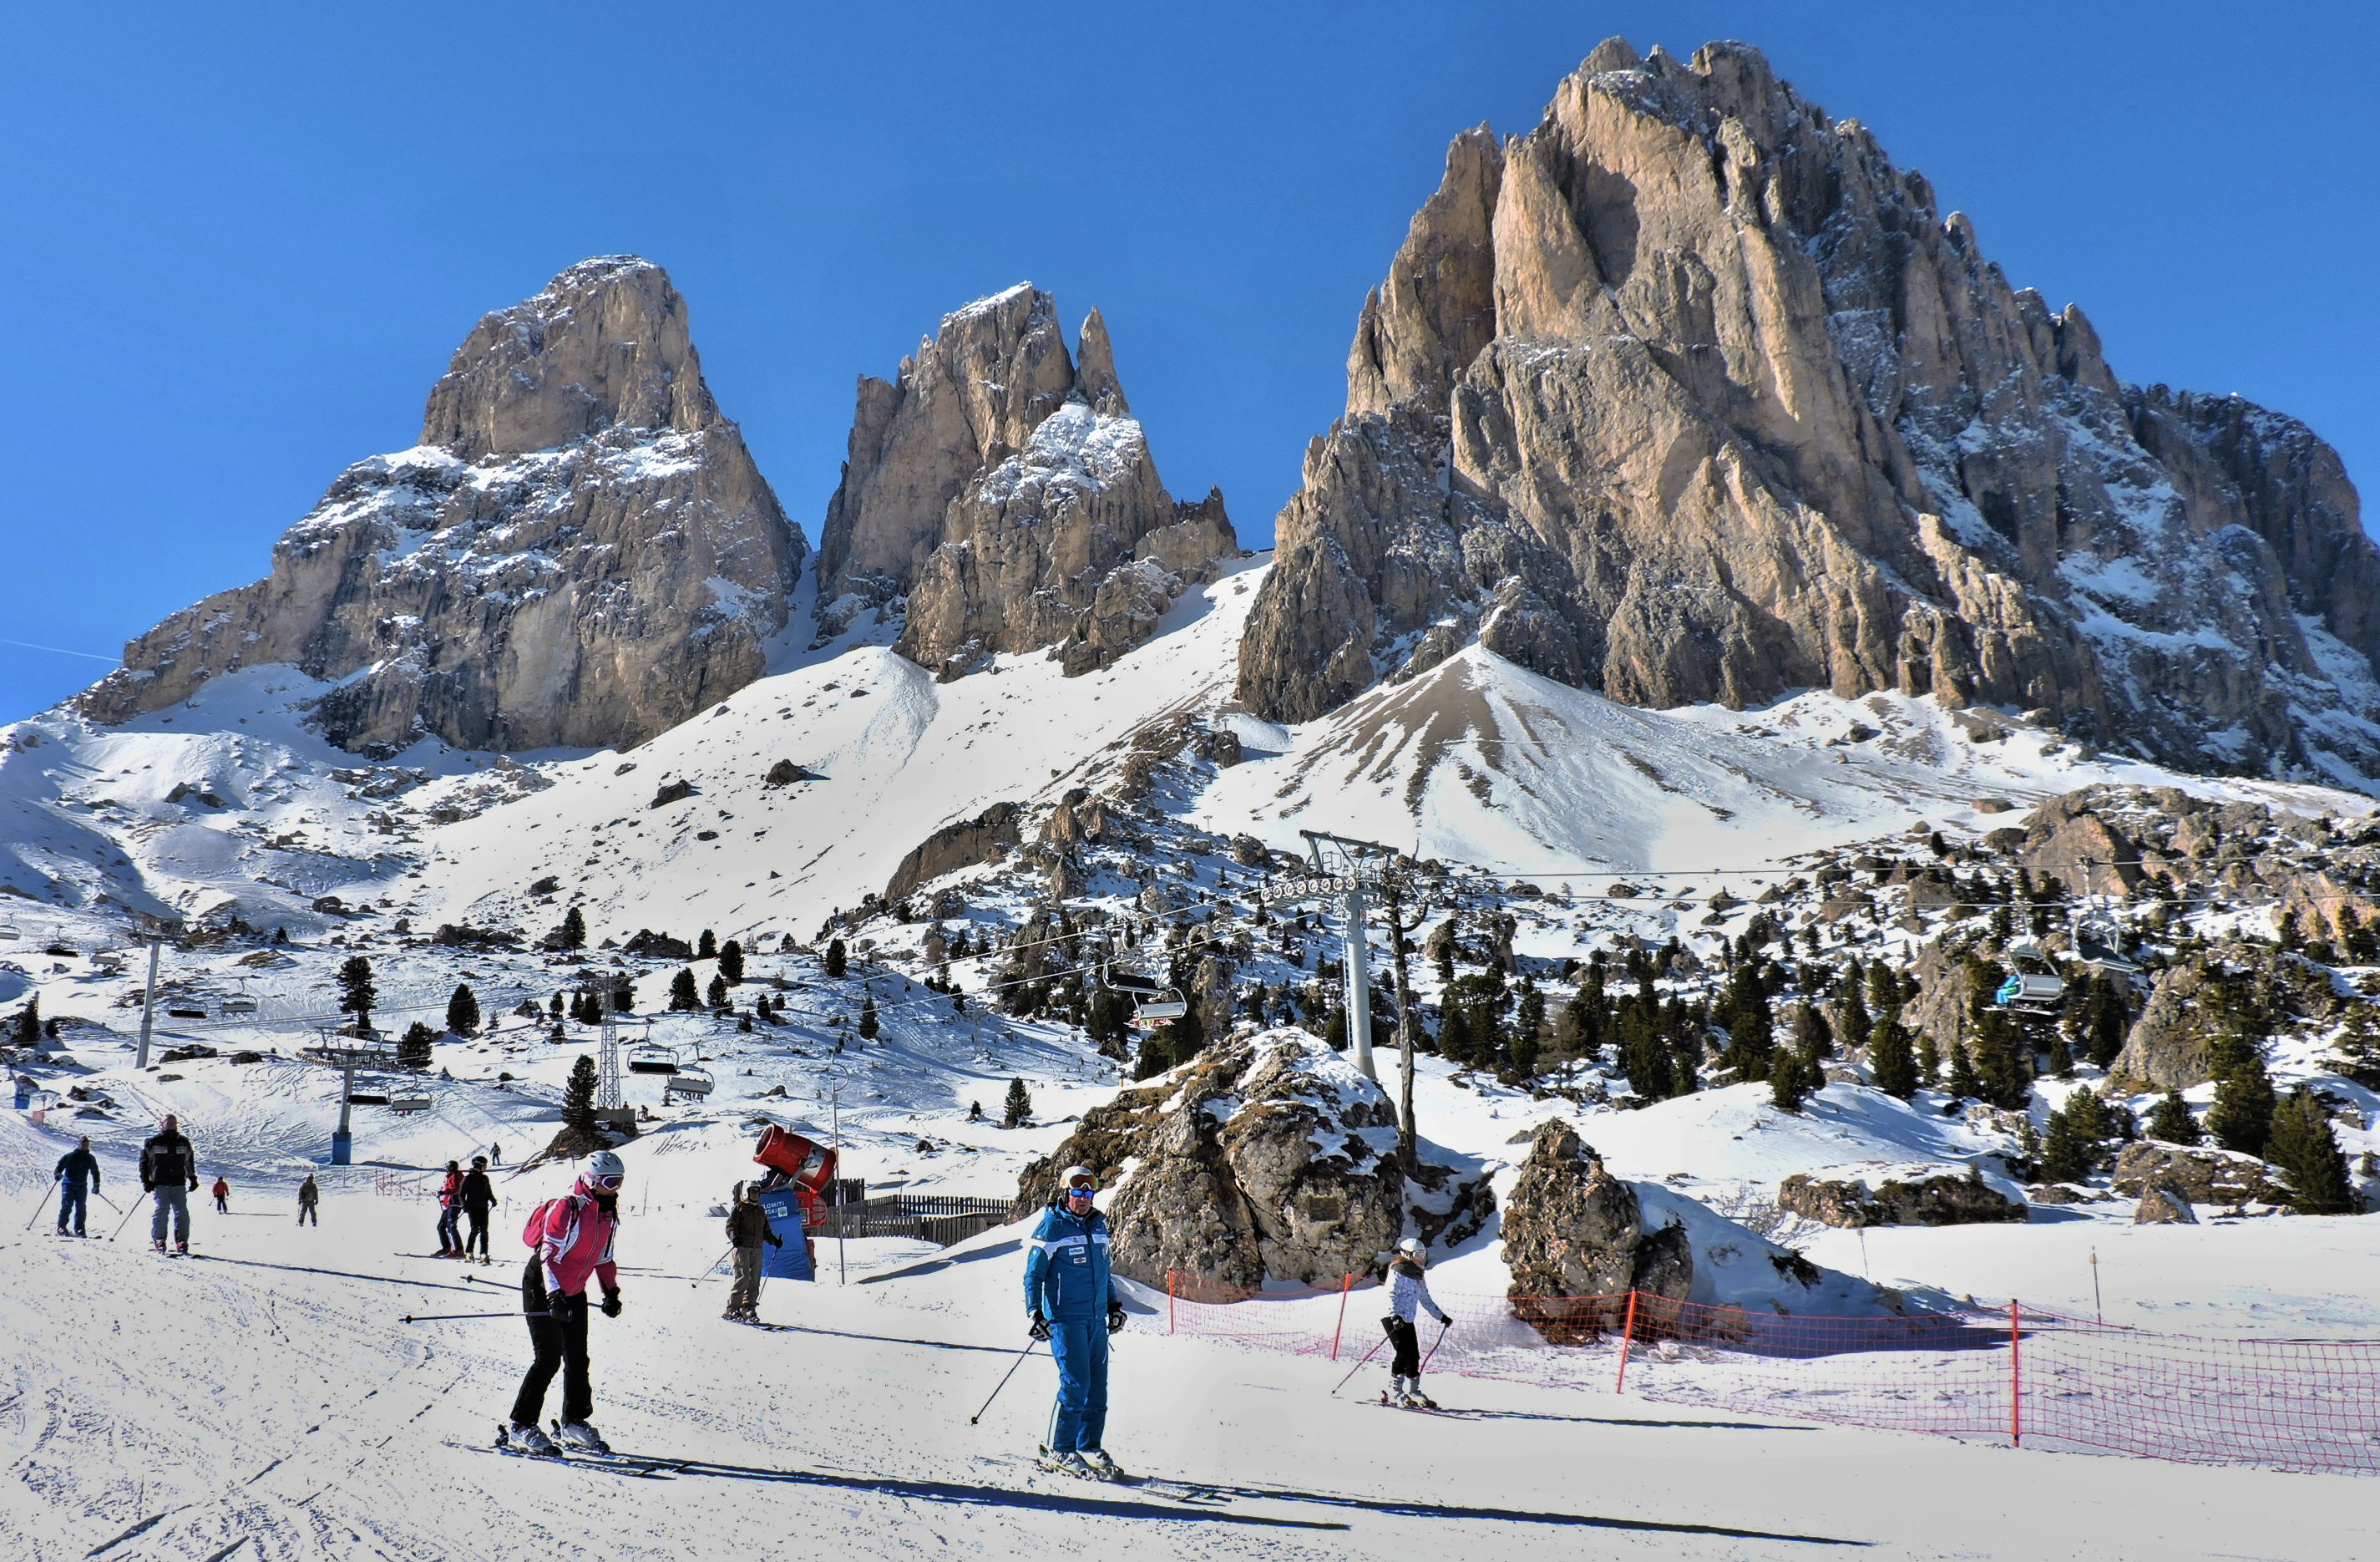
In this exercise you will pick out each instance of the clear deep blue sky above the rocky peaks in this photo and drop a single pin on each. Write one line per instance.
(244, 239)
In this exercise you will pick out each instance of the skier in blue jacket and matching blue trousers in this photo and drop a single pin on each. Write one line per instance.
(1075, 1308)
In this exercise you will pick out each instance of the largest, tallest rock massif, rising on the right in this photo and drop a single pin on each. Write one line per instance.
(1689, 394)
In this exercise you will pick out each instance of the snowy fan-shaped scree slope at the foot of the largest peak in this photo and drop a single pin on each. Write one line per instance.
(1491, 766)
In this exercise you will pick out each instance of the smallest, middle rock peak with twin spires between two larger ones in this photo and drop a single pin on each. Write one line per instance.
(1003, 496)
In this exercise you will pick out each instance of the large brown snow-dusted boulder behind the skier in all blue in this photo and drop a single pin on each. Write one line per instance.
(1267, 1156)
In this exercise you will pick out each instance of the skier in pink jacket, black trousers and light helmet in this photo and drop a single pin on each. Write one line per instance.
(572, 1242)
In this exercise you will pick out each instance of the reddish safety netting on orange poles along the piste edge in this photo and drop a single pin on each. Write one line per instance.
(2019, 1373)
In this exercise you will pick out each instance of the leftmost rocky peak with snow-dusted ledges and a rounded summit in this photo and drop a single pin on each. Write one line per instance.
(577, 554)
